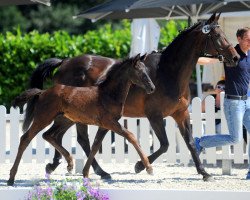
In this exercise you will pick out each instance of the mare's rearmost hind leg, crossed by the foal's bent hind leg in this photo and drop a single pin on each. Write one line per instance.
(58, 129)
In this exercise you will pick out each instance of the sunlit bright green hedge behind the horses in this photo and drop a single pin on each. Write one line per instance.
(20, 53)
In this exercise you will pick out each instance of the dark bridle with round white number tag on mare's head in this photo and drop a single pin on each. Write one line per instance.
(206, 29)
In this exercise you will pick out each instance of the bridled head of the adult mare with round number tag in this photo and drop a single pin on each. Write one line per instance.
(216, 44)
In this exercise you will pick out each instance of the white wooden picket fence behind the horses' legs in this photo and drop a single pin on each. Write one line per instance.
(118, 151)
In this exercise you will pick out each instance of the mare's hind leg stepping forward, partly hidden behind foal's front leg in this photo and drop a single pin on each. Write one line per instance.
(83, 140)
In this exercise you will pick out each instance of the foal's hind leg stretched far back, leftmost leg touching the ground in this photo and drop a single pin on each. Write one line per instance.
(36, 126)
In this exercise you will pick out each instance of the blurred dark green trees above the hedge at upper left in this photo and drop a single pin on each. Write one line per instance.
(48, 19)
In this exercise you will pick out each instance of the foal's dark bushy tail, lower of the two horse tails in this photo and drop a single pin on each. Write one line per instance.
(30, 96)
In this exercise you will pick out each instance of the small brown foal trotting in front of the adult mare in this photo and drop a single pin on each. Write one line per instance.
(100, 105)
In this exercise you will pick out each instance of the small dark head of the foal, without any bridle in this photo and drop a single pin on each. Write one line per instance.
(138, 74)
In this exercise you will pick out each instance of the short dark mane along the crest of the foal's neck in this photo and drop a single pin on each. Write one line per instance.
(106, 77)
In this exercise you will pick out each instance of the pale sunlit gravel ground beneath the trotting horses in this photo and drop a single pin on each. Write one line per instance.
(166, 176)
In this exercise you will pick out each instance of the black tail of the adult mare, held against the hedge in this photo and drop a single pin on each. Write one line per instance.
(44, 71)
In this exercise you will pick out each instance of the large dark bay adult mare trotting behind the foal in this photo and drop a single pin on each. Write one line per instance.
(170, 71)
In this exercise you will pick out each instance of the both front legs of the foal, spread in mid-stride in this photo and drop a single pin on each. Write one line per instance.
(116, 127)
